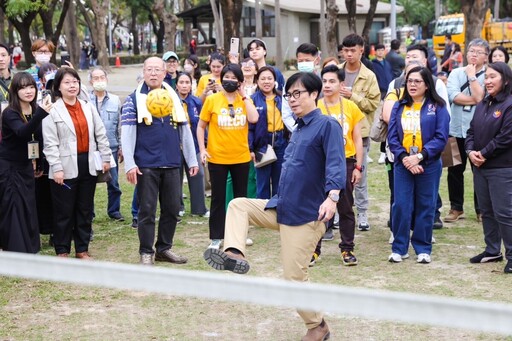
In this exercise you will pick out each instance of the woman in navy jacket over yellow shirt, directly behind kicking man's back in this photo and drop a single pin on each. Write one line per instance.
(269, 130)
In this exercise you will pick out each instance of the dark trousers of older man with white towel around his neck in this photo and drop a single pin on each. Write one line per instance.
(158, 184)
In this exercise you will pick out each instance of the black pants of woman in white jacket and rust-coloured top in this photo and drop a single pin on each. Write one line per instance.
(72, 209)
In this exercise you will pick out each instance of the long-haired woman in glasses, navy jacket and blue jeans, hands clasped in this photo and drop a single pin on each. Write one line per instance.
(418, 132)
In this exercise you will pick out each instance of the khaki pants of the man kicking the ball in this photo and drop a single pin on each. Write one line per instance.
(297, 242)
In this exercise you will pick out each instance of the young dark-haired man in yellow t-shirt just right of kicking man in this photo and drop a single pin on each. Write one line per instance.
(348, 114)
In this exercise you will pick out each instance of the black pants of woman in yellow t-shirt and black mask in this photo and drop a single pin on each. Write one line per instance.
(218, 178)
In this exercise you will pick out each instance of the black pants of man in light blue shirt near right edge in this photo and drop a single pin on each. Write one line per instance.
(456, 181)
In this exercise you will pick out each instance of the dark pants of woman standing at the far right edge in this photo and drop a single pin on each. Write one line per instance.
(493, 188)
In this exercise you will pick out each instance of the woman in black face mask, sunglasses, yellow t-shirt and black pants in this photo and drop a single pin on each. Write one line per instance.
(227, 115)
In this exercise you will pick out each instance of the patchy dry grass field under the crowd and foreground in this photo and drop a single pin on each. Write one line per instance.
(38, 310)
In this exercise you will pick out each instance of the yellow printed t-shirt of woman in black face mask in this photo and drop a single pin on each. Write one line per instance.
(228, 137)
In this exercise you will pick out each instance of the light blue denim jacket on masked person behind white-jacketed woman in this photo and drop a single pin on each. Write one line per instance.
(109, 112)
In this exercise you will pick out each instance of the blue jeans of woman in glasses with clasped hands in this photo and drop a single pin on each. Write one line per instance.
(415, 199)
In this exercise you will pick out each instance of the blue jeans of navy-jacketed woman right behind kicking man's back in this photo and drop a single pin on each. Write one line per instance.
(267, 177)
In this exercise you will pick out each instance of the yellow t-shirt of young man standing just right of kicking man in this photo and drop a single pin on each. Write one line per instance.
(351, 116)
